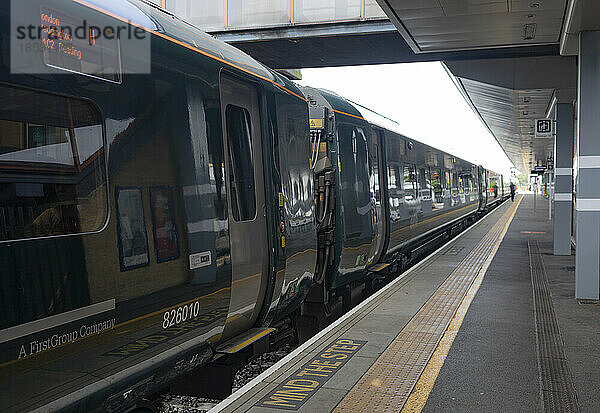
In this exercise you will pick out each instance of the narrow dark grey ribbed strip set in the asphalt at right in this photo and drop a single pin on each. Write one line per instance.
(557, 392)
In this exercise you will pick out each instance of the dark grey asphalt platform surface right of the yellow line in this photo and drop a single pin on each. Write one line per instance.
(492, 365)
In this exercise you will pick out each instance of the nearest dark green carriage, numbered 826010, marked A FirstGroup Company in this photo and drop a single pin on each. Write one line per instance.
(144, 217)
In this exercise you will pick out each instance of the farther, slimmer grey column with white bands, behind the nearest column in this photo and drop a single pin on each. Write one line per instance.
(563, 179)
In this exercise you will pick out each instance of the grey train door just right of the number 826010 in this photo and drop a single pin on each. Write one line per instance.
(246, 203)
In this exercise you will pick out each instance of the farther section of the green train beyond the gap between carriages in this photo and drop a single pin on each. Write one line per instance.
(383, 199)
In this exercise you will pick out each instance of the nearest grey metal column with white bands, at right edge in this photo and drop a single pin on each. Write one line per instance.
(587, 262)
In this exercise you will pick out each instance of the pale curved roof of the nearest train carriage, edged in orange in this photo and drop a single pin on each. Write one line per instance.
(167, 26)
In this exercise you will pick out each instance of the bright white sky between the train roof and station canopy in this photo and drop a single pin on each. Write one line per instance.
(422, 98)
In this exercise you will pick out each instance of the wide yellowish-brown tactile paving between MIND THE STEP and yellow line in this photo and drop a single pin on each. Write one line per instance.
(386, 386)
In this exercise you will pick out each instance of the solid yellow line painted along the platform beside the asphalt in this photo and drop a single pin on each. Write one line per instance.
(418, 397)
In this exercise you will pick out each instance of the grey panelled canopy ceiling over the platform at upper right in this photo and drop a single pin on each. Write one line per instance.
(512, 92)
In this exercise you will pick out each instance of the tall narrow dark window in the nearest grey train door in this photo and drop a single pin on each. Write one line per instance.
(241, 165)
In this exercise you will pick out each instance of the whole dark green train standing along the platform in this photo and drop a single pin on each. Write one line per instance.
(165, 198)
